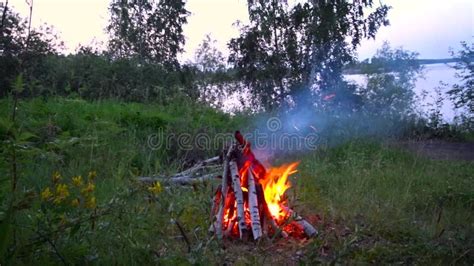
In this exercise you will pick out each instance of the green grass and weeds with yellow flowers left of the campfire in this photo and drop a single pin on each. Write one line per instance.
(75, 137)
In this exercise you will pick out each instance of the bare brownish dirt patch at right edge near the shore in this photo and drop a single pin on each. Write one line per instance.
(441, 150)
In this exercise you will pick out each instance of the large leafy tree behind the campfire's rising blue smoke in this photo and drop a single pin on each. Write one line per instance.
(285, 51)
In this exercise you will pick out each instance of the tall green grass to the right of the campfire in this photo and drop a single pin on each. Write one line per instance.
(398, 207)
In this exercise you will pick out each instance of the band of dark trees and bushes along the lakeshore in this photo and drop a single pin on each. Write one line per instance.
(289, 56)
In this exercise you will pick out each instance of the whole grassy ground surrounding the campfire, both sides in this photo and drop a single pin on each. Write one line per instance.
(371, 203)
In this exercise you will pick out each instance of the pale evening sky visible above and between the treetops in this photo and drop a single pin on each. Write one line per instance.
(429, 27)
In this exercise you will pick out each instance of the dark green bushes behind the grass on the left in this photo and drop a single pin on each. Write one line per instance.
(94, 75)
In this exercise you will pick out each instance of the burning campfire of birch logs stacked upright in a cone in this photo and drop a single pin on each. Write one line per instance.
(250, 202)
